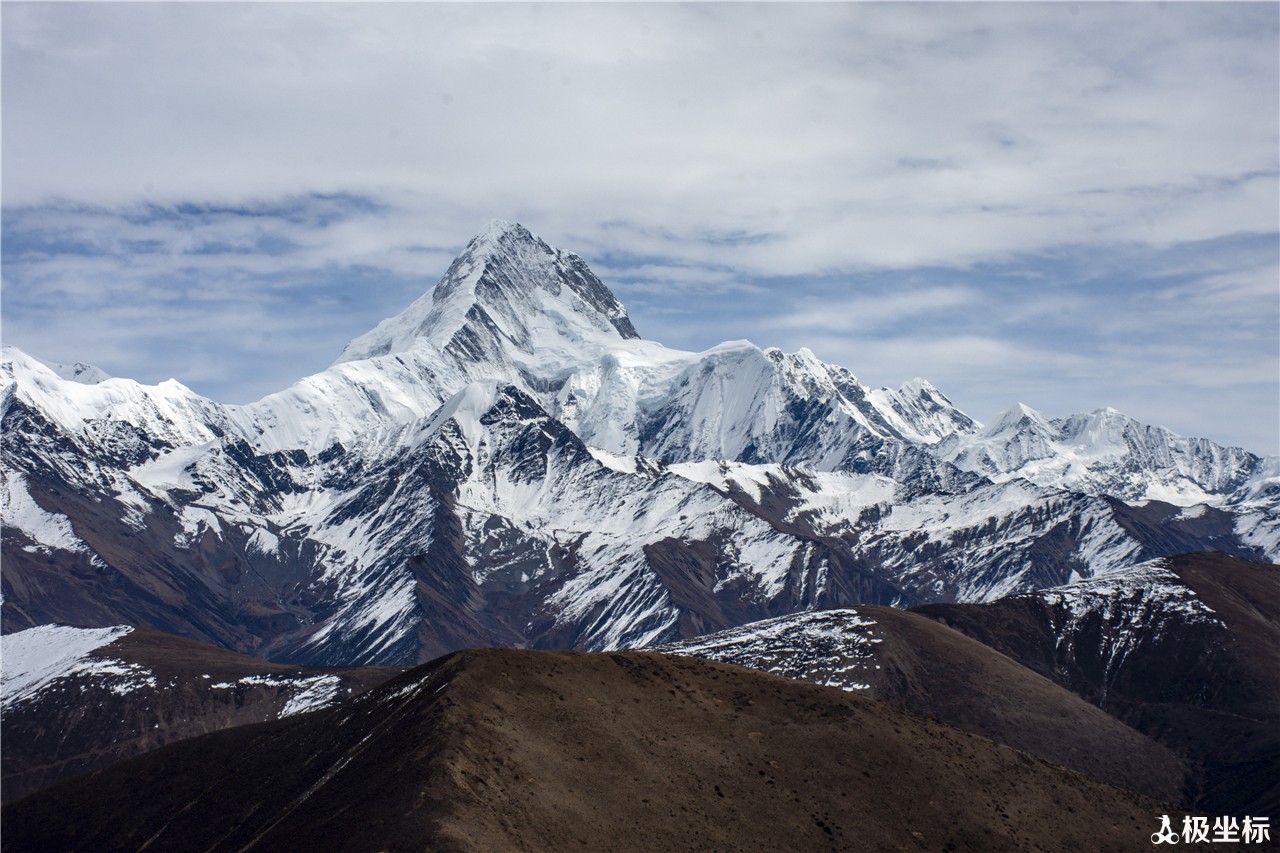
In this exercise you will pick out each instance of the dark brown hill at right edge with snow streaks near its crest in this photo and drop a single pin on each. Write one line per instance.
(1186, 650)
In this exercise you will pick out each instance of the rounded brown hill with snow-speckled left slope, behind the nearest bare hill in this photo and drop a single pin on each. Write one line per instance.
(917, 664)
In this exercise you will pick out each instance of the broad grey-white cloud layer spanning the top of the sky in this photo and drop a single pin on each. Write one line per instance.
(806, 125)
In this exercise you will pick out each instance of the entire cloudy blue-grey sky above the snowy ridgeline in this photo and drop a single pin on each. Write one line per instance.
(1066, 206)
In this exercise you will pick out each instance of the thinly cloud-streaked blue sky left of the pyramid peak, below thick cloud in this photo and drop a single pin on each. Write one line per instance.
(237, 303)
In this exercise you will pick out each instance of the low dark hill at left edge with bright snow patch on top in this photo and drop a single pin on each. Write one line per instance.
(77, 700)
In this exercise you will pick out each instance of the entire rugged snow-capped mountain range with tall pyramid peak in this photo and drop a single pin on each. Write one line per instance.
(508, 463)
